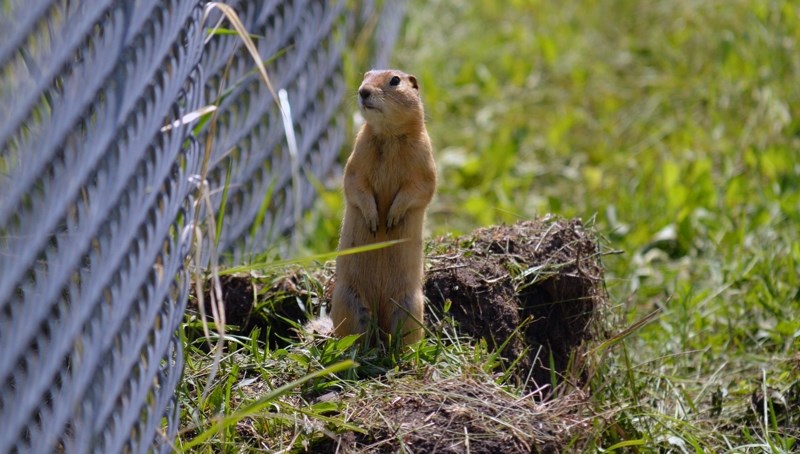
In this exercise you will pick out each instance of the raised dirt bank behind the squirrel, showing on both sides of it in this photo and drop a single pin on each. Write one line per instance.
(535, 288)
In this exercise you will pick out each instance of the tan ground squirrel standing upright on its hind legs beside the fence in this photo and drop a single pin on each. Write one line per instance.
(389, 180)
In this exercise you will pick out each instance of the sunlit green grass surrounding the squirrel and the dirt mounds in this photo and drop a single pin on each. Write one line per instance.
(676, 127)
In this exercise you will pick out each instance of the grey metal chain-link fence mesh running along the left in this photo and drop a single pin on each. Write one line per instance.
(98, 198)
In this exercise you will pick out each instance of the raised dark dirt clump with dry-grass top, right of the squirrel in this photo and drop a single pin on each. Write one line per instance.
(536, 284)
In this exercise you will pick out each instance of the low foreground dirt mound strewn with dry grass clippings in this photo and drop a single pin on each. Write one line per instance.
(455, 415)
